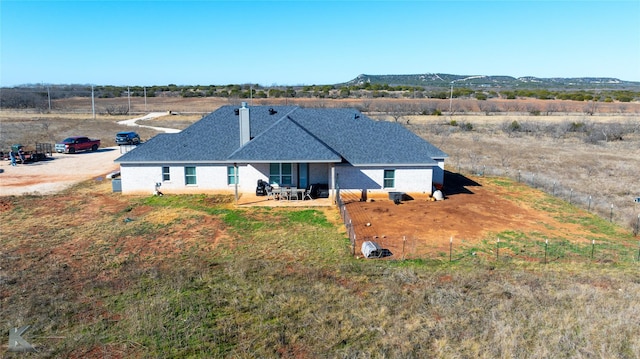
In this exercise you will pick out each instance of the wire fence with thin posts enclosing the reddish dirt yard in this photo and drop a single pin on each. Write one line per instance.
(505, 247)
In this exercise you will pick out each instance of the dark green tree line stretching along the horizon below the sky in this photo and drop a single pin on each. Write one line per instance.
(40, 96)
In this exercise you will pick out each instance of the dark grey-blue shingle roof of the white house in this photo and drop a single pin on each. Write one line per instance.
(289, 134)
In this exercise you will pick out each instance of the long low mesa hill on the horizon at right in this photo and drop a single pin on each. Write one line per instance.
(432, 80)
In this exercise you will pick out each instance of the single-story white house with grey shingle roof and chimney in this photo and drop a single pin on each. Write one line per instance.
(232, 148)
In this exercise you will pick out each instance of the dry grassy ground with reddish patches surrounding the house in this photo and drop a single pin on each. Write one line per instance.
(97, 274)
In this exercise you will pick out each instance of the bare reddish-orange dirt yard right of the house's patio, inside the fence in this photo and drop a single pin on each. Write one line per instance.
(471, 212)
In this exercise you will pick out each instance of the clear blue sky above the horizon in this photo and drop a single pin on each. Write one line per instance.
(212, 42)
